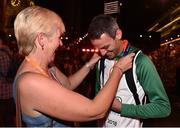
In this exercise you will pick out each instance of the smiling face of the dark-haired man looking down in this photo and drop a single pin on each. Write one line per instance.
(108, 47)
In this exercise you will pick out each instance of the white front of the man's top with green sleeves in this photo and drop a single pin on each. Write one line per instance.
(115, 119)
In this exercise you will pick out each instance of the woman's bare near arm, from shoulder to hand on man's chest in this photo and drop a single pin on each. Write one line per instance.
(48, 97)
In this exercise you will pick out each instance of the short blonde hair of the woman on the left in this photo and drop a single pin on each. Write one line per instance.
(31, 21)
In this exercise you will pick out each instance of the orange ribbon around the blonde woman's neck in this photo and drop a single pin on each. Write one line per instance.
(37, 66)
